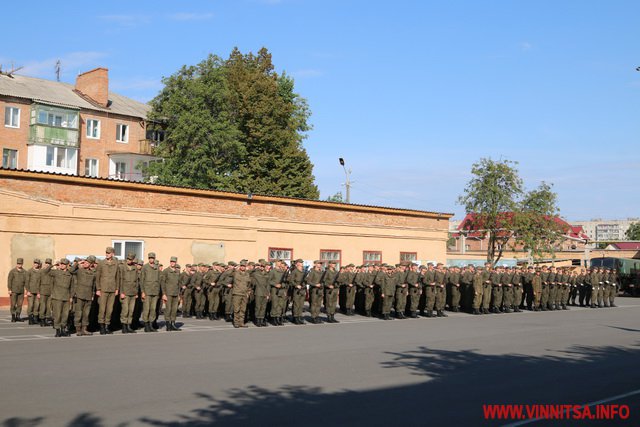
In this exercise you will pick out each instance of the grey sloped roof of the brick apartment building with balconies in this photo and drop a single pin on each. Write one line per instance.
(63, 94)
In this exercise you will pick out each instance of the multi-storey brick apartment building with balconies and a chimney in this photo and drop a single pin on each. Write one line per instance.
(81, 129)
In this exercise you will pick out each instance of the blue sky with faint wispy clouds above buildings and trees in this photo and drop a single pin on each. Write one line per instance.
(410, 93)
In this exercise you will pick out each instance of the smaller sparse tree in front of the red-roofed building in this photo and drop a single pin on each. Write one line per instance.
(503, 212)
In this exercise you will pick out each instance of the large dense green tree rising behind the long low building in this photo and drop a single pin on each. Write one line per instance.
(234, 125)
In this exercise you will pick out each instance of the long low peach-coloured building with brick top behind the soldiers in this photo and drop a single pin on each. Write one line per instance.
(45, 215)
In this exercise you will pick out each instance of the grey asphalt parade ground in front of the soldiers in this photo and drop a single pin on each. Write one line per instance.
(362, 371)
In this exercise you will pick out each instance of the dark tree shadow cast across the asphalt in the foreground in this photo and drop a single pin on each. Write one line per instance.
(454, 385)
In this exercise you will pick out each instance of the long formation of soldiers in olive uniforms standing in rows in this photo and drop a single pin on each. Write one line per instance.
(65, 292)
